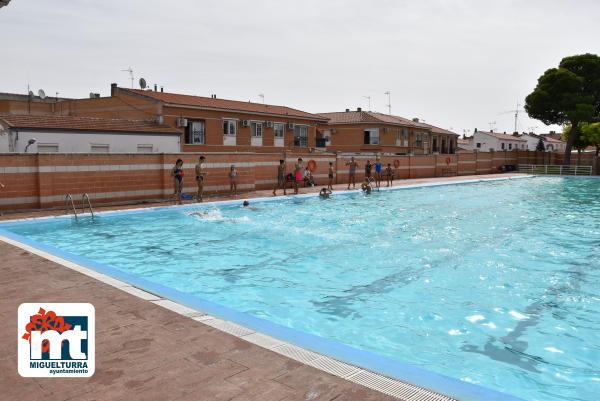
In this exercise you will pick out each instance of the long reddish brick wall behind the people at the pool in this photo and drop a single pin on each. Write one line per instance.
(42, 180)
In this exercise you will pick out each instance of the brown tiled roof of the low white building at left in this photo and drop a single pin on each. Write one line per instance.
(84, 124)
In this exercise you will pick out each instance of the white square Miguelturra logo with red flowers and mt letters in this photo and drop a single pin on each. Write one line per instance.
(56, 340)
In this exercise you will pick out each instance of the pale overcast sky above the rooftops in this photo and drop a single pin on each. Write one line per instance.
(456, 64)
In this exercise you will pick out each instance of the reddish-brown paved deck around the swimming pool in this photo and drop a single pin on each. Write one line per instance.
(144, 351)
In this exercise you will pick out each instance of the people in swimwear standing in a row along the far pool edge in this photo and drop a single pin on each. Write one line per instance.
(301, 175)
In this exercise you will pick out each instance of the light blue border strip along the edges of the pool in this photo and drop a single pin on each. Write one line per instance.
(439, 383)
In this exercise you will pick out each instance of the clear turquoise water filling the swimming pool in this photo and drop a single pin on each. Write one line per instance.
(494, 283)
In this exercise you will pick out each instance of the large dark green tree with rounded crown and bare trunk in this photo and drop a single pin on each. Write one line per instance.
(569, 94)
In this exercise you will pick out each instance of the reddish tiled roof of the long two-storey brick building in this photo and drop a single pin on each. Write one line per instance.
(224, 104)
